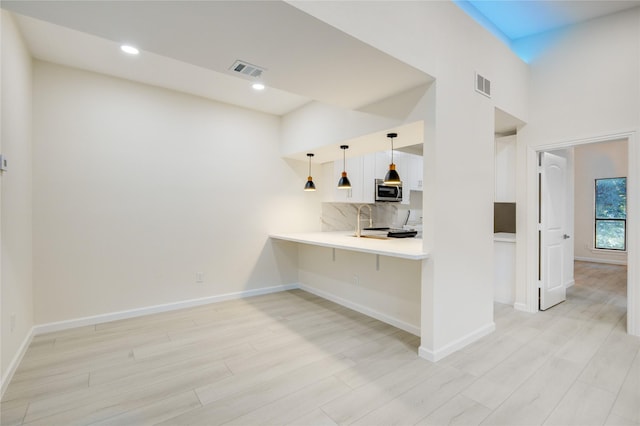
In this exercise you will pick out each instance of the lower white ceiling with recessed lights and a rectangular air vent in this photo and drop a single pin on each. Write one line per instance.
(191, 45)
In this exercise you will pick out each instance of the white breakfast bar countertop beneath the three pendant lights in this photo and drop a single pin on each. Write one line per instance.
(406, 248)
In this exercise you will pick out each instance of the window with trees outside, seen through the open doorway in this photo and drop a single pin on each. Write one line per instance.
(611, 213)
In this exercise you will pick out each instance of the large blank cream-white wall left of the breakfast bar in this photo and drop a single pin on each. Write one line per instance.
(137, 188)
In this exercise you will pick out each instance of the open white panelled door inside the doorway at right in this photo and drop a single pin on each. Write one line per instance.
(553, 235)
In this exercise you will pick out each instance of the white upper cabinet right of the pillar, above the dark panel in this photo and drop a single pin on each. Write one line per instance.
(505, 161)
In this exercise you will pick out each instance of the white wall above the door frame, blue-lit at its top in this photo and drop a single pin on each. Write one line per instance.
(586, 82)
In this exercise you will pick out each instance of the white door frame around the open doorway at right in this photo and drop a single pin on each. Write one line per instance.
(526, 236)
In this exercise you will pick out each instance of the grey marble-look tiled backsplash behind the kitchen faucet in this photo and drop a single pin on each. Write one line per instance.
(342, 216)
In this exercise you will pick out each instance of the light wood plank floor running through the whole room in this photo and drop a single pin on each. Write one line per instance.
(293, 358)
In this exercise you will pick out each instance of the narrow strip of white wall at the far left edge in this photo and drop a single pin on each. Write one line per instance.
(16, 190)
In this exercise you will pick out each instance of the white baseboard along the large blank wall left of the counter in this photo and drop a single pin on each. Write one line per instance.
(132, 313)
